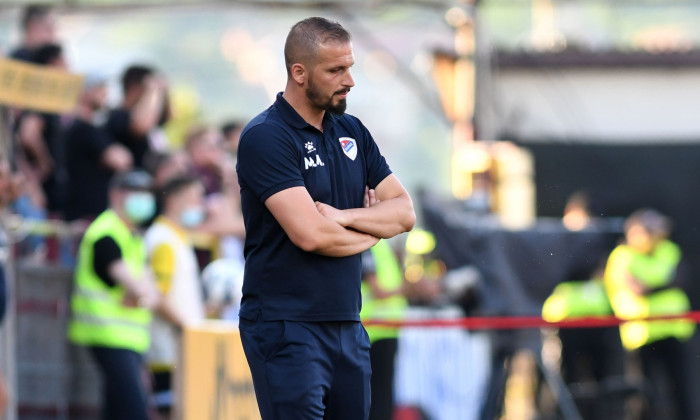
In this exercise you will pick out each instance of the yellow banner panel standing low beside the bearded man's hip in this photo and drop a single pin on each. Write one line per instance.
(216, 382)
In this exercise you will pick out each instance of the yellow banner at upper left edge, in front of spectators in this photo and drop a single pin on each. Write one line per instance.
(39, 88)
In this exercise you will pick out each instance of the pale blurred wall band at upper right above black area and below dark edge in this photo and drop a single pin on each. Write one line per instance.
(592, 104)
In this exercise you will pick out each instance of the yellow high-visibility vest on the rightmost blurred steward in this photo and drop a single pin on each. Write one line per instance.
(655, 270)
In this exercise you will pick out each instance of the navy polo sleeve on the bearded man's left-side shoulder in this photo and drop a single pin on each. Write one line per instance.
(268, 161)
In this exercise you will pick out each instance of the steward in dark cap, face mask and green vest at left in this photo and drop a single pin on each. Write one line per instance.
(113, 296)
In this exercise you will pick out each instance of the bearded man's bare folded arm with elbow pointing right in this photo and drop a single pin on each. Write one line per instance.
(389, 215)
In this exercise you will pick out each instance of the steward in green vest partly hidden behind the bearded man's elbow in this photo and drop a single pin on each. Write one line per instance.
(382, 298)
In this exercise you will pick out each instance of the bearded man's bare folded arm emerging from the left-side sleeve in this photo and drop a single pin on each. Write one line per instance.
(308, 229)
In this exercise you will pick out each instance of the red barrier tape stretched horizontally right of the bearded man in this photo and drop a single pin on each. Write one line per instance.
(523, 322)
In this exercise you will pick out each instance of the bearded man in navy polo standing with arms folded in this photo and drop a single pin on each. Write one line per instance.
(315, 193)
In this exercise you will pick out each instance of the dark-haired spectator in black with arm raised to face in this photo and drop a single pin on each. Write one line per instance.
(144, 108)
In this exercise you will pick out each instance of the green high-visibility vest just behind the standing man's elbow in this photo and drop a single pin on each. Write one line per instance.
(390, 278)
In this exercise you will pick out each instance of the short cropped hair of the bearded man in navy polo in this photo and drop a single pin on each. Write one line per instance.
(305, 37)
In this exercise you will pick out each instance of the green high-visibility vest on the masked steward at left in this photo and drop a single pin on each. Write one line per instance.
(99, 317)
